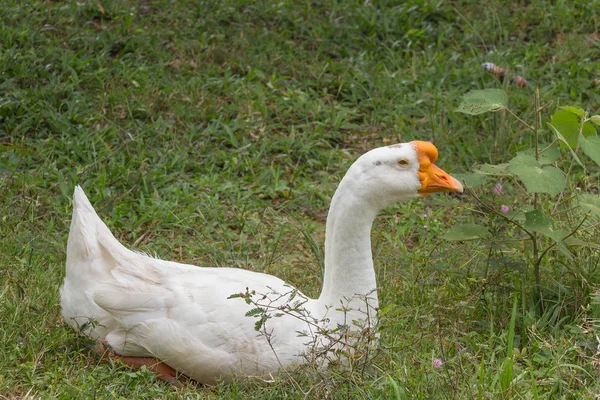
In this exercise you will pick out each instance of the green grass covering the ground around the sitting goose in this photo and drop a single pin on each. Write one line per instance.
(215, 133)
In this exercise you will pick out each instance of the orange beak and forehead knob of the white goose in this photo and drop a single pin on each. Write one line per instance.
(433, 178)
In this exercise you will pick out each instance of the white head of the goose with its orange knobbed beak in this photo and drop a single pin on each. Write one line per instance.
(387, 175)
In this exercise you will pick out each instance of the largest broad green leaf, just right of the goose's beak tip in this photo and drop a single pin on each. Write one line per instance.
(537, 178)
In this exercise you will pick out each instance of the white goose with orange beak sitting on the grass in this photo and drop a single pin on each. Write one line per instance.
(147, 309)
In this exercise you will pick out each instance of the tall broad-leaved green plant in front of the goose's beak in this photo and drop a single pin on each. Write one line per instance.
(544, 177)
